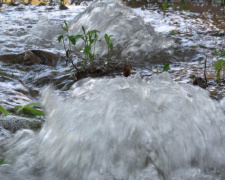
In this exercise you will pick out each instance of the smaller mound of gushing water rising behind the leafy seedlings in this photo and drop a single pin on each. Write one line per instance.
(131, 36)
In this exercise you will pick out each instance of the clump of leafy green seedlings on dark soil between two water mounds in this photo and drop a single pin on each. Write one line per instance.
(90, 62)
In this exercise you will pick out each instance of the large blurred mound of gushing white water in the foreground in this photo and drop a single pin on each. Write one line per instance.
(123, 129)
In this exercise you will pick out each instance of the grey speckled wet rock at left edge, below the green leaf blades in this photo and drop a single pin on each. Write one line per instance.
(14, 123)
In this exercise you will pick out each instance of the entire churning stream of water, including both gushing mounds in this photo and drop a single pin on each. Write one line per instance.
(113, 128)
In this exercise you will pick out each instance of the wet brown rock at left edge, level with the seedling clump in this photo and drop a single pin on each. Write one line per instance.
(31, 57)
